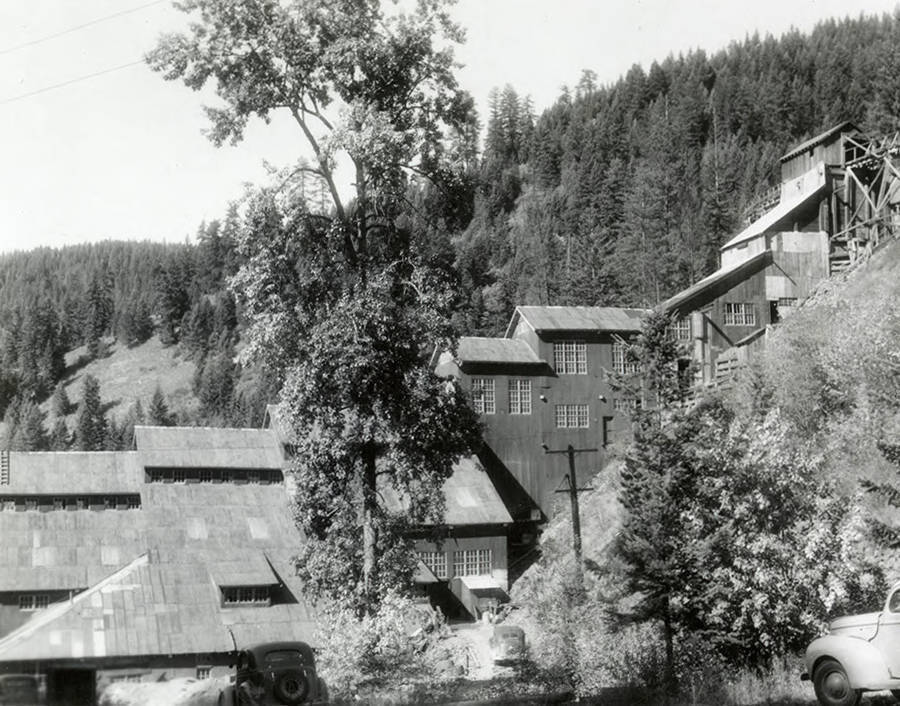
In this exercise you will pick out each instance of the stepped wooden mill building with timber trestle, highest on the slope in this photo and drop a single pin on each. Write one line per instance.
(839, 198)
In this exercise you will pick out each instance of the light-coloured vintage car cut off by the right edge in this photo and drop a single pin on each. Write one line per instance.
(859, 653)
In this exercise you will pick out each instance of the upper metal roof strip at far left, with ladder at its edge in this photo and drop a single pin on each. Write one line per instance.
(73, 472)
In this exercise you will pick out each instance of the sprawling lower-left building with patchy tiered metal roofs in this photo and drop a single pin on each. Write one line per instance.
(145, 564)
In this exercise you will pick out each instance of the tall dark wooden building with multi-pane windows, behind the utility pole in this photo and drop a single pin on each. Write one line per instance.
(544, 386)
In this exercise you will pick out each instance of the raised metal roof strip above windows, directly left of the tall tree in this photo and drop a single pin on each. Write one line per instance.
(207, 447)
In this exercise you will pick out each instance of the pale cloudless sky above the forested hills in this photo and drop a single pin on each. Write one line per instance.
(122, 155)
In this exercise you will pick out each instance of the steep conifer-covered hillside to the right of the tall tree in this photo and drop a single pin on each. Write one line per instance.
(622, 194)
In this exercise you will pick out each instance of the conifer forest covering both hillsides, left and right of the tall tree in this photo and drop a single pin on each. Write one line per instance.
(618, 194)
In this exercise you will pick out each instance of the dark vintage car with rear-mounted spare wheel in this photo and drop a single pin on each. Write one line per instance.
(275, 673)
